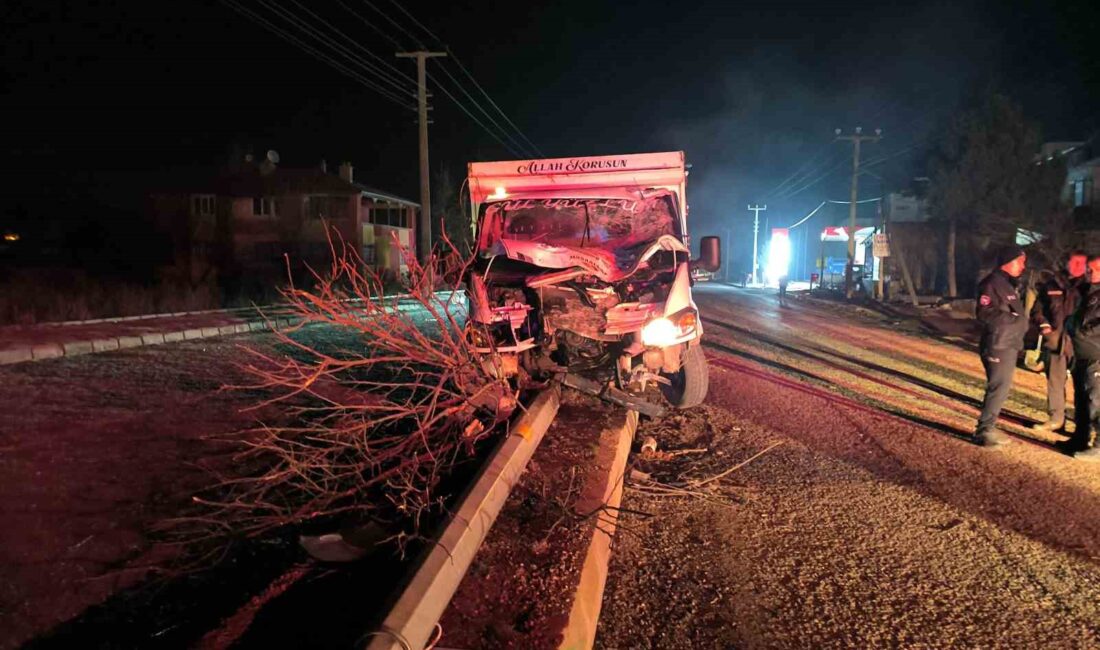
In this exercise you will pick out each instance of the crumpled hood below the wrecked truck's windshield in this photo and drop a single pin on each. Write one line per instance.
(607, 266)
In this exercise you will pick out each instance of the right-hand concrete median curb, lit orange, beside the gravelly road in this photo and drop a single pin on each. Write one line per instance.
(606, 490)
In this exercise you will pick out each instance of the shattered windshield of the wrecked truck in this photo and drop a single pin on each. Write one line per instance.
(604, 224)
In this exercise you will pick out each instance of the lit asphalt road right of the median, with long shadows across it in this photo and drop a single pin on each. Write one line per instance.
(873, 524)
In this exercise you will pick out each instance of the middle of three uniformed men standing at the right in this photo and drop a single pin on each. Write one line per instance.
(1058, 301)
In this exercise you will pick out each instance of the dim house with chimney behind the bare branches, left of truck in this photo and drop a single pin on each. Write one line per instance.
(248, 224)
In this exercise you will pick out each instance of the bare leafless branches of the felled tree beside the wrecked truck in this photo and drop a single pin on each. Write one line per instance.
(378, 421)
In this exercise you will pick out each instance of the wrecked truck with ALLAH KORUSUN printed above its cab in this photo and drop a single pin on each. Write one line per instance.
(584, 273)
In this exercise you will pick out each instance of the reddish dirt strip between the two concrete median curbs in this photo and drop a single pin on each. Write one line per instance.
(519, 591)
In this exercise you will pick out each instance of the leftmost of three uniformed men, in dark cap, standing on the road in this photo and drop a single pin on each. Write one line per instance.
(1004, 326)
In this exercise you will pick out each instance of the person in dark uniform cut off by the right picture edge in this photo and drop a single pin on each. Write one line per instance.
(1085, 329)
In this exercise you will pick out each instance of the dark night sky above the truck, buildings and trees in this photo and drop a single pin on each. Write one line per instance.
(92, 92)
